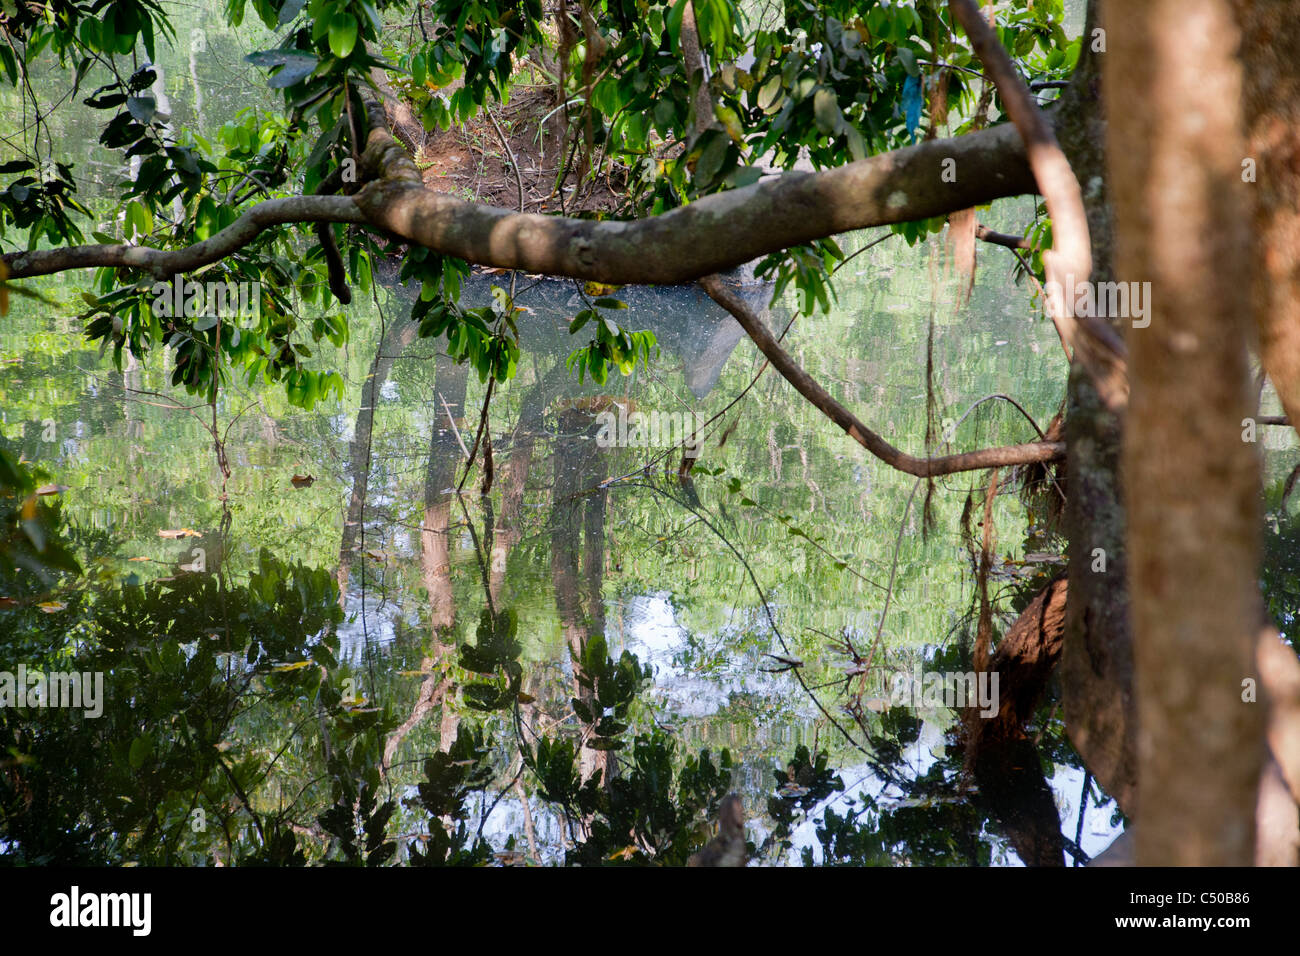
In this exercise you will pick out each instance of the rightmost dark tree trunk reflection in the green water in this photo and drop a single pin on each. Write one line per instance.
(578, 509)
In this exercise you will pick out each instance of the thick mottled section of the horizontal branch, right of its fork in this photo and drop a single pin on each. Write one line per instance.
(717, 232)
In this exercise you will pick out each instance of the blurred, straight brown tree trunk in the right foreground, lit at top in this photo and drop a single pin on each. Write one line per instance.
(1191, 485)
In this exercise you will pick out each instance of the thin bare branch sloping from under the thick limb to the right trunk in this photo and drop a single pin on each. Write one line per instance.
(808, 387)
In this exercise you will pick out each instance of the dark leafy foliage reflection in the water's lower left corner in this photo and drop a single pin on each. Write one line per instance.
(174, 699)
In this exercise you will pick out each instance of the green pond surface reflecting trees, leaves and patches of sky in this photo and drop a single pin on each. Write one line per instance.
(376, 668)
